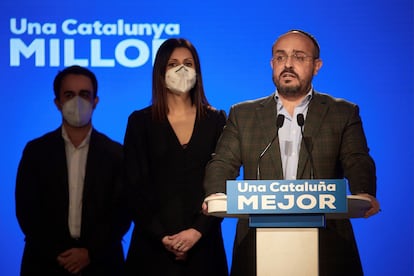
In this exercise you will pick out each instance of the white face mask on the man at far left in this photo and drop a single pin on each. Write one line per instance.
(77, 111)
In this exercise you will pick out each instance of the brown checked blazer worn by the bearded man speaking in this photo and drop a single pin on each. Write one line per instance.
(339, 150)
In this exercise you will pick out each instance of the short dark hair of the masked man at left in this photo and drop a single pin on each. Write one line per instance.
(74, 70)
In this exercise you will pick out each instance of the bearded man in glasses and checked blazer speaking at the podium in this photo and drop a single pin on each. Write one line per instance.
(296, 133)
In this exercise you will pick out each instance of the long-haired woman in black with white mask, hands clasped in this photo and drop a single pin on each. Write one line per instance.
(167, 146)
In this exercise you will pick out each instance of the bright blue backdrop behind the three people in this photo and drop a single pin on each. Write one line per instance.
(366, 46)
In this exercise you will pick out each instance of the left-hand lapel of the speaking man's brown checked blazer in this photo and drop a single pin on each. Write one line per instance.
(267, 115)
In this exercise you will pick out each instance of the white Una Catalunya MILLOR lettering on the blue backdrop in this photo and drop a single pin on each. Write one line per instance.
(128, 53)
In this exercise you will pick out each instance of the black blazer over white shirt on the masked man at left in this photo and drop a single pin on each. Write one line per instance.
(42, 202)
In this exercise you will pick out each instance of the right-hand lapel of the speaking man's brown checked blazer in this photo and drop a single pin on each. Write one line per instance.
(314, 118)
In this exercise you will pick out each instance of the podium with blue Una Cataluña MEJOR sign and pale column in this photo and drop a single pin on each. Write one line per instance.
(287, 215)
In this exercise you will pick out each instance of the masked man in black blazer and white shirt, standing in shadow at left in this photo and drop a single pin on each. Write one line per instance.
(68, 189)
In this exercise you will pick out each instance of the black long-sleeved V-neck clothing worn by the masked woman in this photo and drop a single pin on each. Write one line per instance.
(165, 193)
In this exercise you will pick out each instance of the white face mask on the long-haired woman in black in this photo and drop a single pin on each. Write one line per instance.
(180, 79)
